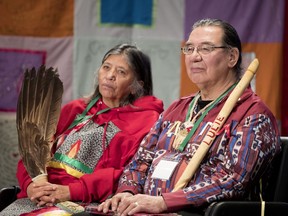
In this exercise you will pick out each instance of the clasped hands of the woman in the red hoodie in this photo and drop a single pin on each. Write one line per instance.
(47, 193)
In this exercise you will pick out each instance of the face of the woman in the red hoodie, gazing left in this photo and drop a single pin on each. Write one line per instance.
(115, 78)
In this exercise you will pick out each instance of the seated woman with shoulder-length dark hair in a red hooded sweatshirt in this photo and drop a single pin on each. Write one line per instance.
(91, 150)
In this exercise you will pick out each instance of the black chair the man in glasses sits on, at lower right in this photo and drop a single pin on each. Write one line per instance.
(275, 194)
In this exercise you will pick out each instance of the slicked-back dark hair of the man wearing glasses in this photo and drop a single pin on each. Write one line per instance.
(230, 38)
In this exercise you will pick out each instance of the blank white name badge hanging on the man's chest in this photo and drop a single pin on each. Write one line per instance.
(164, 169)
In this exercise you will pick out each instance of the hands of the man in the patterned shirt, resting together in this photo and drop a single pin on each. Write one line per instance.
(129, 205)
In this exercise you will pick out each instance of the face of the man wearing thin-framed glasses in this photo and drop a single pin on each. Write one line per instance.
(210, 68)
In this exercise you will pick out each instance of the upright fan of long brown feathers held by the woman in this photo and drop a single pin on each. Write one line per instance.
(38, 111)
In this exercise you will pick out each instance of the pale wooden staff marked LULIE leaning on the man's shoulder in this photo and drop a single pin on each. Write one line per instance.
(216, 126)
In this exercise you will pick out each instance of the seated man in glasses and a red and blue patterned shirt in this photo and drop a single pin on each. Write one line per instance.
(239, 155)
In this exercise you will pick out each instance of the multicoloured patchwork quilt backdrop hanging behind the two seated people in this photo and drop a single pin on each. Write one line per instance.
(73, 36)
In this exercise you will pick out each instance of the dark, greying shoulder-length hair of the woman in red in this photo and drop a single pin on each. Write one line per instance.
(141, 67)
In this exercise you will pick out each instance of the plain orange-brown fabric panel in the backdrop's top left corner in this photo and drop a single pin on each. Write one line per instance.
(53, 18)
